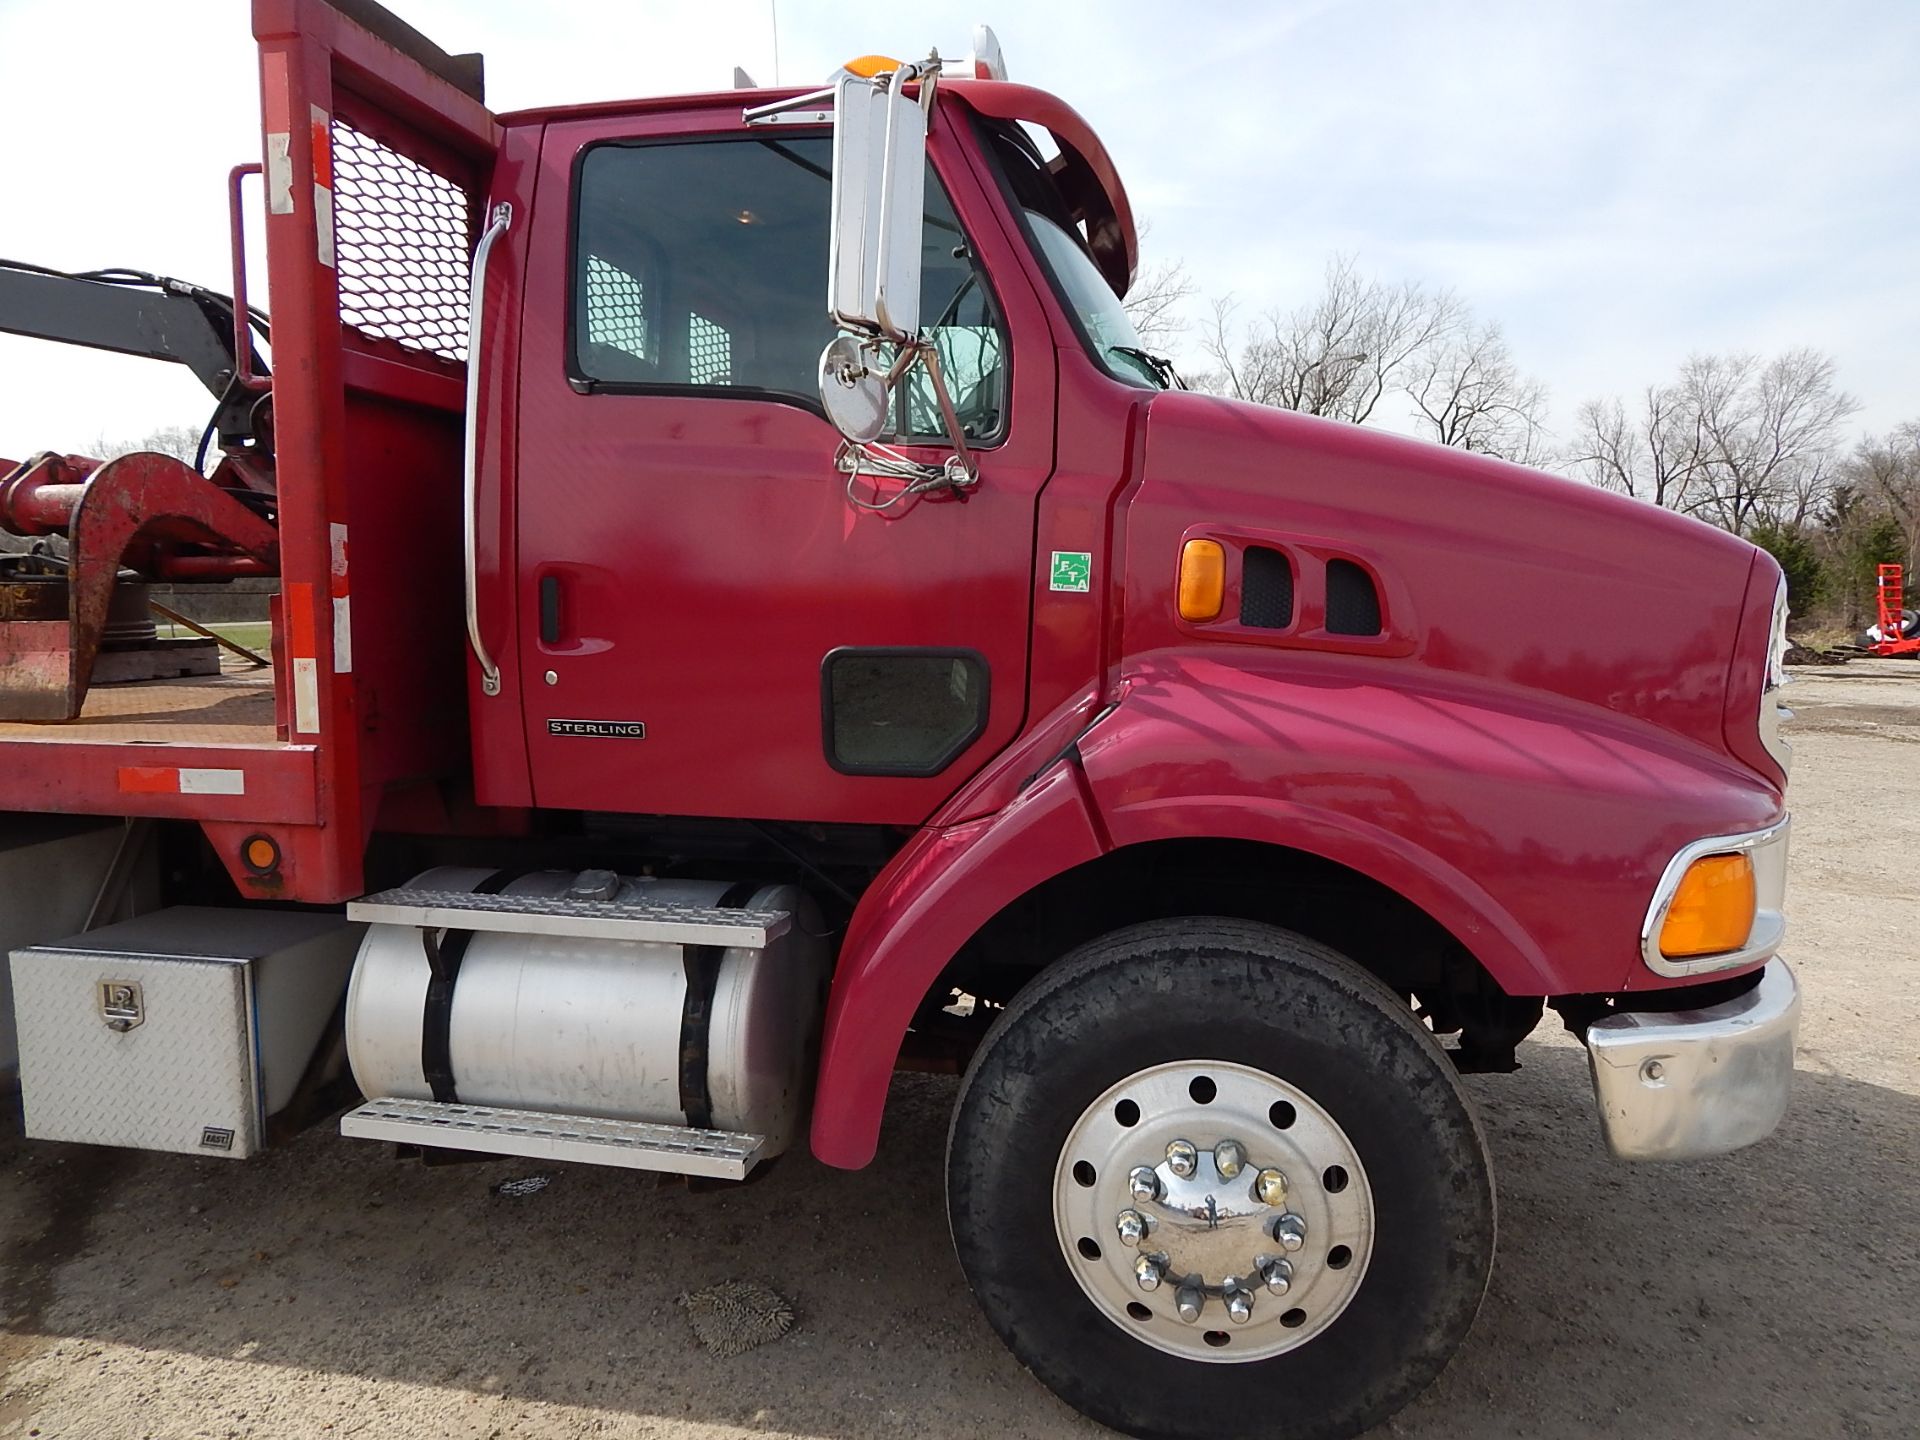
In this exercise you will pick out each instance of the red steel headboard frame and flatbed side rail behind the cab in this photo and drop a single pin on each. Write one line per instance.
(318, 792)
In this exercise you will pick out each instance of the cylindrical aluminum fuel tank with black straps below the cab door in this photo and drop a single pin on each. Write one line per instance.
(602, 1028)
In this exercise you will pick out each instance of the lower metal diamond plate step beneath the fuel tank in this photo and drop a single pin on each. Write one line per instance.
(581, 1140)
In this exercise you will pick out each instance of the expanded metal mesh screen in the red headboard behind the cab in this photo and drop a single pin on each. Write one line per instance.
(402, 247)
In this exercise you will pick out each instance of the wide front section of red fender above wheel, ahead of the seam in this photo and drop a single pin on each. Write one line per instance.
(1529, 827)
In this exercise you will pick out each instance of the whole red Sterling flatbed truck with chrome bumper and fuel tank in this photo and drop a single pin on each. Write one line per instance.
(692, 704)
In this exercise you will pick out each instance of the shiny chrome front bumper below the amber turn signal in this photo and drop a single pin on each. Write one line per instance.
(1696, 1084)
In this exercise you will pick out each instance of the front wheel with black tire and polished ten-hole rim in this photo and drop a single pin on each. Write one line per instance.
(1207, 1172)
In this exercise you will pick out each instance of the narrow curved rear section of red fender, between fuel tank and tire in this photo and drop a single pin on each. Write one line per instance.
(911, 923)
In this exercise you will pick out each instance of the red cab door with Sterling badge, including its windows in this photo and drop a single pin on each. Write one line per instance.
(713, 619)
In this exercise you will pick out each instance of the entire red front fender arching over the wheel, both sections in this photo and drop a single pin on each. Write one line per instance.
(1535, 832)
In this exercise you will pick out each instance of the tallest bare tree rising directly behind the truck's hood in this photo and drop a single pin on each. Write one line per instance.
(1337, 356)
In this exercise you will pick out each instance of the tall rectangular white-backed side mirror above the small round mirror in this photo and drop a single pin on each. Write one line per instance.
(880, 176)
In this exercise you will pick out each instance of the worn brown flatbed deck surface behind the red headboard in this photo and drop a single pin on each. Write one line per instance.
(233, 708)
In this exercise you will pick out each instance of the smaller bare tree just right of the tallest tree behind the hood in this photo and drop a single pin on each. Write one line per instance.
(1470, 395)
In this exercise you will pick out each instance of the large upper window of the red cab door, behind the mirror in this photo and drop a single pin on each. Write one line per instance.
(704, 266)
